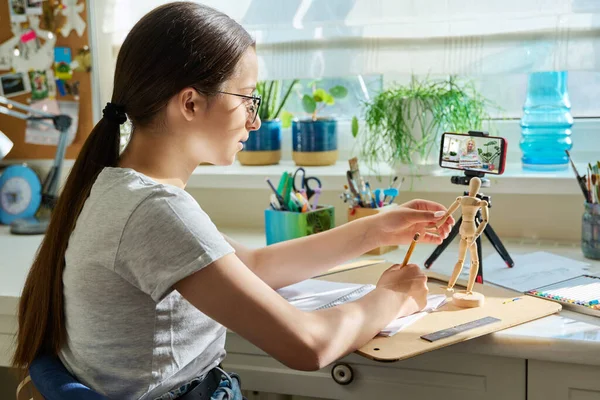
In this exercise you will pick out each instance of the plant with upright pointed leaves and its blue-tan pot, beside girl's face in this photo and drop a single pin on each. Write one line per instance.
(263, 146)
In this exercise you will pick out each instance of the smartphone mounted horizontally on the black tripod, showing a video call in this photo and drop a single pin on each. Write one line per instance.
(470, 152)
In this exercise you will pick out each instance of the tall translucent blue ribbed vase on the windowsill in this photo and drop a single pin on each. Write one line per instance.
(546, 123)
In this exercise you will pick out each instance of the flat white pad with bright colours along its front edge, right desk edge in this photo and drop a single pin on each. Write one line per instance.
(581, 294)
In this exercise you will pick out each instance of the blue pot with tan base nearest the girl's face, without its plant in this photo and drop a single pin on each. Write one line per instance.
(263, 146)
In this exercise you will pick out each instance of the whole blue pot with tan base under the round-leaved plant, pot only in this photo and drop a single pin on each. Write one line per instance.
(314, 142)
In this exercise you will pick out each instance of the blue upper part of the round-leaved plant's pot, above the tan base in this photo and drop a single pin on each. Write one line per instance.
(314, 136)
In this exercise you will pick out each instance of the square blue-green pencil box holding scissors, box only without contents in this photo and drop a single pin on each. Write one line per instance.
(285, 225)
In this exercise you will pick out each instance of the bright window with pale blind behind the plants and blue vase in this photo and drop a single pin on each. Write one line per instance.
(497, 44)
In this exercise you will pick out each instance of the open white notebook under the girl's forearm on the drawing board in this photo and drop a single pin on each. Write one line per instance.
(315, 294)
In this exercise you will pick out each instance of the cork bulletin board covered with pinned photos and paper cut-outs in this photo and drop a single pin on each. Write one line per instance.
(34, 21)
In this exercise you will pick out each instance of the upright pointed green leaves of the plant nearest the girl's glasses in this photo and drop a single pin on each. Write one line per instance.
(271, 108)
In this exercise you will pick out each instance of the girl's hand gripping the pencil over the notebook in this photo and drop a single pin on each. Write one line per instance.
(409, 284)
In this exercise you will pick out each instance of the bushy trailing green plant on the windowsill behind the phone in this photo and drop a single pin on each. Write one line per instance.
(402, 125)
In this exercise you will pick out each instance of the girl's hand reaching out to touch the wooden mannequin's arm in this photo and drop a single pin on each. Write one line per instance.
(399, 224)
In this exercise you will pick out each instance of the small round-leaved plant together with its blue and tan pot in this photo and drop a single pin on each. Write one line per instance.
(314, 139)
